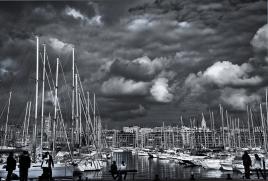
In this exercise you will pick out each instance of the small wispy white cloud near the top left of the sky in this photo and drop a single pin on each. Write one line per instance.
(96, 20)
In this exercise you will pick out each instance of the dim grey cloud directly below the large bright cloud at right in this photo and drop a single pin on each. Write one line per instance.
(238, 98)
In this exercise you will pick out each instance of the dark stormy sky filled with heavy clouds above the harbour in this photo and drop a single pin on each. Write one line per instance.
(147, 61)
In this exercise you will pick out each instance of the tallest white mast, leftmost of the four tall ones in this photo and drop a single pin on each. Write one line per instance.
(36, 97)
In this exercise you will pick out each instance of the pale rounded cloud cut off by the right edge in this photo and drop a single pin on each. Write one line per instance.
(260, 40)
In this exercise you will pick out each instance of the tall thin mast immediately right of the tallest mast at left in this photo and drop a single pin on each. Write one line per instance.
(43, 96)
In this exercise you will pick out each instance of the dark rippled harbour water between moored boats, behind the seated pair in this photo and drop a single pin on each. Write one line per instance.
(147, 168)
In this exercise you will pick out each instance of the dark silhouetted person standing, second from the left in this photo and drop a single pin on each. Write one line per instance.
(25, 163)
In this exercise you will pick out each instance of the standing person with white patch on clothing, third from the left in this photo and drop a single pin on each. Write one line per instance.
(47, 165)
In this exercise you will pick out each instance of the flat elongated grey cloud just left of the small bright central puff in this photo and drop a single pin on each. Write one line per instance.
(119, 86)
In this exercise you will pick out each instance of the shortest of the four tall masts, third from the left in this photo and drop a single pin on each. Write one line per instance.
(55, 106)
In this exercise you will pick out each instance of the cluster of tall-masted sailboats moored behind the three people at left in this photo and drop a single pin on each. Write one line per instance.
(73, 158)
